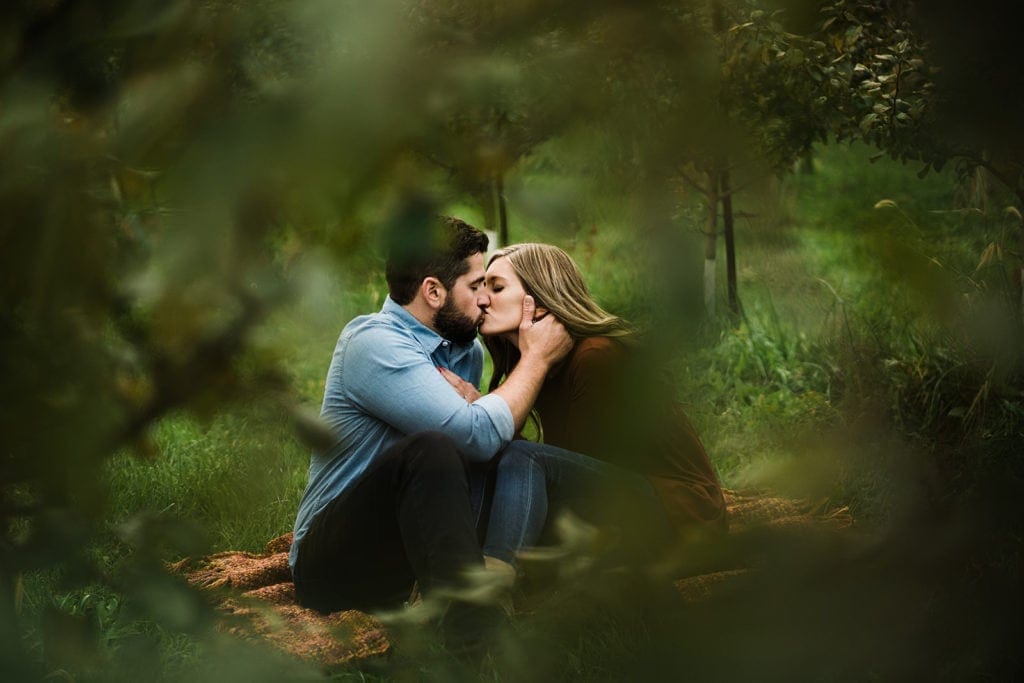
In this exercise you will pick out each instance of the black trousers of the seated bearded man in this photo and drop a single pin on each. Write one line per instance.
(410, 519)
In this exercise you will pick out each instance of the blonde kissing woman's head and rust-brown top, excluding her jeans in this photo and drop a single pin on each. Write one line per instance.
(601, 400)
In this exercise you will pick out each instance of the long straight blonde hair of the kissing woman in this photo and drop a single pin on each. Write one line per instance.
(552, 278)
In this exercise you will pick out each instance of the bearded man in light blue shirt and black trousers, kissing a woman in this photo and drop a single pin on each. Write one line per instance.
(390, 504)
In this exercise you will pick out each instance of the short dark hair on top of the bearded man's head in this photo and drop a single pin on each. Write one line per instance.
(438, 251)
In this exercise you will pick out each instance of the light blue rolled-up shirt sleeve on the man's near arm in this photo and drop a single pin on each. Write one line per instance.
(389, 375)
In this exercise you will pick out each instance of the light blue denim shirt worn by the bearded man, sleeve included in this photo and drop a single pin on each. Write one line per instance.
(382, 386)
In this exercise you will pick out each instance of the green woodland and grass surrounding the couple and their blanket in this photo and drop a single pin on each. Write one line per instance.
(814, 209)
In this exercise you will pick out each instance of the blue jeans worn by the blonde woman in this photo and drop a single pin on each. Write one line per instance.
(535, 482)
